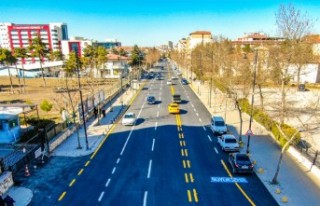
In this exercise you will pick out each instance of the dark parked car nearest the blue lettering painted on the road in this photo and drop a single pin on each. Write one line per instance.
(240, 163)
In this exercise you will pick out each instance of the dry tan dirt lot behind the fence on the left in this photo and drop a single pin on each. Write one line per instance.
(35, 92)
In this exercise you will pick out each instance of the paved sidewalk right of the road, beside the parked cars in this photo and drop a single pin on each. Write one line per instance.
(297, 185)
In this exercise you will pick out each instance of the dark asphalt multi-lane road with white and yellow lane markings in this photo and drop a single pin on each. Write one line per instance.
(163, 160)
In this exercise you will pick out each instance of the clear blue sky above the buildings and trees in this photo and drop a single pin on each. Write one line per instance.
(152, 23)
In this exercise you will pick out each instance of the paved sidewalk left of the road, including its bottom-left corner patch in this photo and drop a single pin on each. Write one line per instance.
(95, 133)
